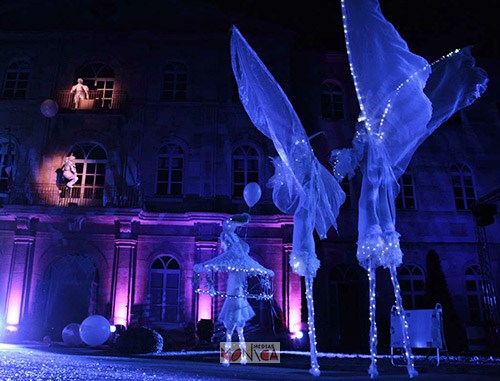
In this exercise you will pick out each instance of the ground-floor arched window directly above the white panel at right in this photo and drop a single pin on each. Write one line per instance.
(412, 282)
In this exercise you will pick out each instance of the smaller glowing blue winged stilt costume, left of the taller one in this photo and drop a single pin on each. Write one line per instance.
(301, 185)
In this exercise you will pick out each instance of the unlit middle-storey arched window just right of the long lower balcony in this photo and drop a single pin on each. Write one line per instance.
(170, 170)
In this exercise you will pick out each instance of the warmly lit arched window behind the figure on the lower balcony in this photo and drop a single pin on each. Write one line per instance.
(91, 161)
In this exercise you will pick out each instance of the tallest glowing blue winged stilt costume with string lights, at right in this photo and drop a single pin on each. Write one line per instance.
(403, 99)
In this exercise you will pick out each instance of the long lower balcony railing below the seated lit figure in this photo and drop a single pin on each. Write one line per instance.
(86, 196)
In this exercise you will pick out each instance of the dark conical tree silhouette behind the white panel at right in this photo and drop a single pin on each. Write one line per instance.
(436, 291)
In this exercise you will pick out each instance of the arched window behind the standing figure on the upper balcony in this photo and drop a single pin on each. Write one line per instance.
(100, 79)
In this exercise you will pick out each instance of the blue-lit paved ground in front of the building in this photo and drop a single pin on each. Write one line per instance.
(57, 363)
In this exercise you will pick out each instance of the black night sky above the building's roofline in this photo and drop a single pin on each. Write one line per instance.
(446, 24)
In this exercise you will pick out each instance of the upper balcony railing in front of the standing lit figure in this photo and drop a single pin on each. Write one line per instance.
(99, 100)
